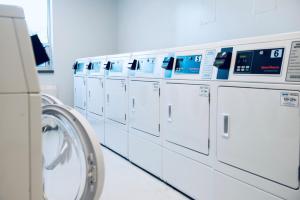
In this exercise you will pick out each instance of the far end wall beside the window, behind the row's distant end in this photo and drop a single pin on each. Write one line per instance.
(81, 28)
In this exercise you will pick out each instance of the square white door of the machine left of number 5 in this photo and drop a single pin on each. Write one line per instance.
(144, 106)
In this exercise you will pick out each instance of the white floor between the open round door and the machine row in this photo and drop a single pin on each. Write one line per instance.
(125, 181)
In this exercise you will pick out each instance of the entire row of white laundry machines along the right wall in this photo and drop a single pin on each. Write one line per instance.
(216, 121)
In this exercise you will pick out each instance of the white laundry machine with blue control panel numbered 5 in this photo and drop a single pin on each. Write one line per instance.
(185, 117)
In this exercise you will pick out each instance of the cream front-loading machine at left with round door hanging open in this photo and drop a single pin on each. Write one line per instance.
(53, 155)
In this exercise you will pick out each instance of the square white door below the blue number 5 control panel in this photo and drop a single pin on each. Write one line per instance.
(188, 116)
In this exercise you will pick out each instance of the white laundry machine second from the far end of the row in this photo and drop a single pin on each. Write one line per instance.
(95, 96)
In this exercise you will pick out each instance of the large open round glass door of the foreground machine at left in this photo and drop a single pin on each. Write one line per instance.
(73, 166)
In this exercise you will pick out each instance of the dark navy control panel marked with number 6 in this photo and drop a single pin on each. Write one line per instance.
(261, 61)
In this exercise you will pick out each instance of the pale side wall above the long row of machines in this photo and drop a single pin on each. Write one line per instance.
(151, 24)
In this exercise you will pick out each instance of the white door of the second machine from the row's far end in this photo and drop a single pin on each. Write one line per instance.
(95, 96)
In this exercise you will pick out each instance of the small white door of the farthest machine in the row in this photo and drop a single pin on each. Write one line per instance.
(79, 92)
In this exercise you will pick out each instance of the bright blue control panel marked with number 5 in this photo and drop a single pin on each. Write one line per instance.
(188, 64)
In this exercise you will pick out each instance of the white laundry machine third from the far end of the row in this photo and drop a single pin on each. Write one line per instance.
(116, 103)
